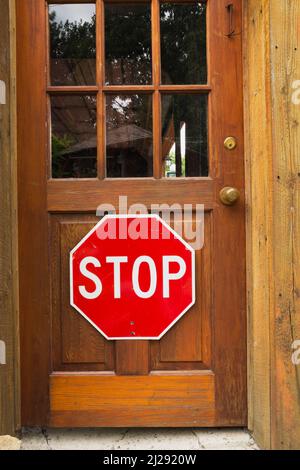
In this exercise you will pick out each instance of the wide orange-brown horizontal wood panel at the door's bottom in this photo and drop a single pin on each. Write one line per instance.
(152, 400)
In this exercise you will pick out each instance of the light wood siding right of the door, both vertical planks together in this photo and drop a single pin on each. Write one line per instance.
(272, 65)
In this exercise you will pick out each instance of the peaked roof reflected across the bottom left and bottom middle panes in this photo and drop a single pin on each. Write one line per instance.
(115, 137)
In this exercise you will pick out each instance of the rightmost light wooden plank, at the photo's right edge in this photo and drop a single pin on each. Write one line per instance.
(285, 322)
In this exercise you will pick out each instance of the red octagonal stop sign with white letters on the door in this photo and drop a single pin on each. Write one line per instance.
(132, 277)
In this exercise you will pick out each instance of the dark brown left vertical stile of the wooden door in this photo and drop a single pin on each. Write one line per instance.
(32, 207)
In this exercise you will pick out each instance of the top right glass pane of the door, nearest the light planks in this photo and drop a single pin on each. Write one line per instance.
(183, 43)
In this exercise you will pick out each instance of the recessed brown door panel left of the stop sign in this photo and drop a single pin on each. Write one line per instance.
(76, 345)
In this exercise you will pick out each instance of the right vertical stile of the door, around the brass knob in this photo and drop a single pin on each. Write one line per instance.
(229, 269)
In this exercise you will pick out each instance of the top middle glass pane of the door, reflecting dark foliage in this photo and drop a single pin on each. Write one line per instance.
(128, 44)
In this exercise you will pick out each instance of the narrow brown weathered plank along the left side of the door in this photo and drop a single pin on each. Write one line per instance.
(9, 372)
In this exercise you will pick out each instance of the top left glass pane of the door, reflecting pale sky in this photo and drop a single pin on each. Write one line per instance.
(72, 44)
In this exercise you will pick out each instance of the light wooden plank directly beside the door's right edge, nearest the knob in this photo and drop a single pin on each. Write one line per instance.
(258, 156)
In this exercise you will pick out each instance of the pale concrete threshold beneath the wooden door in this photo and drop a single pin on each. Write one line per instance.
(136, 439)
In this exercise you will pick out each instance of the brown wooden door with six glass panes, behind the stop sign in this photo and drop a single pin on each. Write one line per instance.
(135, 99)
